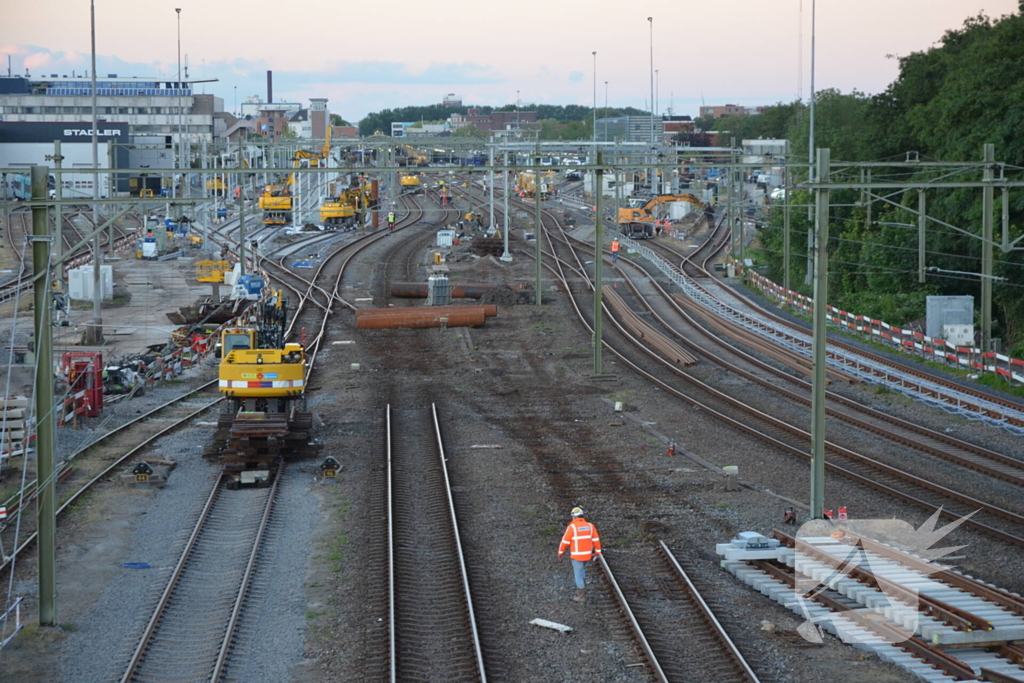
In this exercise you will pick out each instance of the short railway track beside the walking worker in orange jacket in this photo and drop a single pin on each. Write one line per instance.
(674, 627)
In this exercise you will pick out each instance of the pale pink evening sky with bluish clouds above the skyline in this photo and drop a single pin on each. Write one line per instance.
(366, 57)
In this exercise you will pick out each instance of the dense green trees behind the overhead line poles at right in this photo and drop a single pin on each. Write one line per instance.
(946, 105)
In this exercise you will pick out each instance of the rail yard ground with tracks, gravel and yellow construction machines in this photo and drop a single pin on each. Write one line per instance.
(365, 473)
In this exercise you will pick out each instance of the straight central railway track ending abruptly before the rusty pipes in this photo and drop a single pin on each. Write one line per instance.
(433, 634)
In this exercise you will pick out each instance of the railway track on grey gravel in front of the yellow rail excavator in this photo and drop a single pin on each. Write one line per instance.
(191, 633)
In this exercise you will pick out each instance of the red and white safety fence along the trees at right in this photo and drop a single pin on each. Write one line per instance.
(931, 349)
